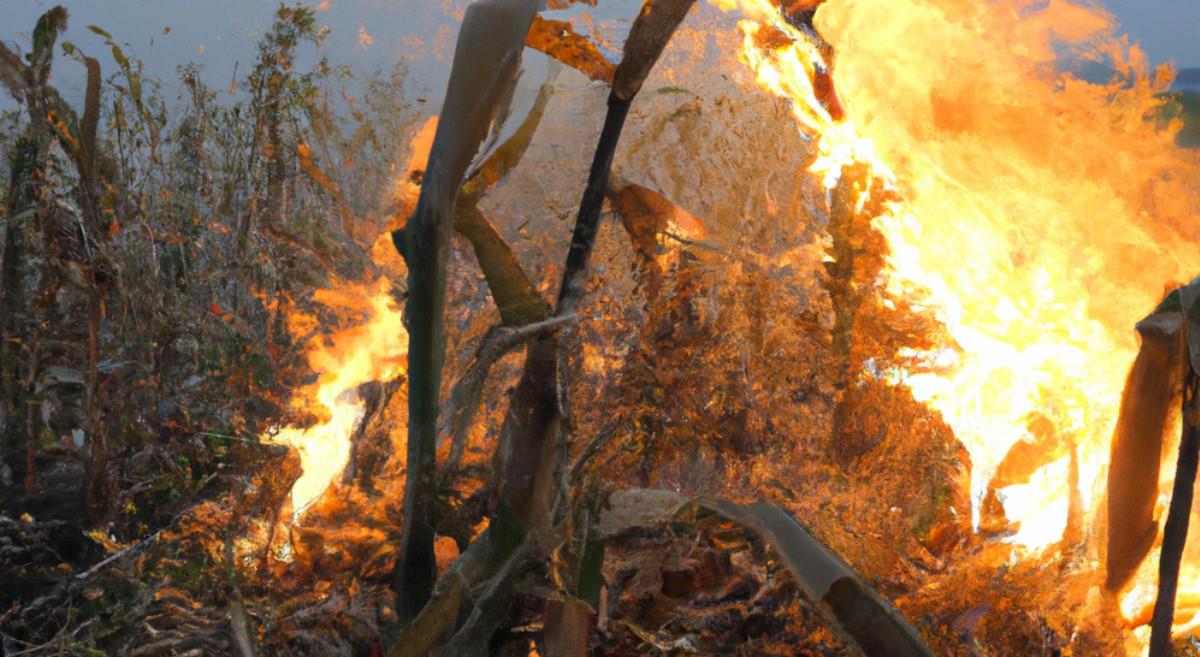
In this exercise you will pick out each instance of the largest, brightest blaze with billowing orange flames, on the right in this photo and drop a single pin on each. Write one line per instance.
(1037, 215)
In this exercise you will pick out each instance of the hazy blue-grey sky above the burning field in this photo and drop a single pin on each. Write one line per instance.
(369, 35)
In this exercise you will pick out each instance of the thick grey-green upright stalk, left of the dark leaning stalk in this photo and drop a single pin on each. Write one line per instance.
(487, 61)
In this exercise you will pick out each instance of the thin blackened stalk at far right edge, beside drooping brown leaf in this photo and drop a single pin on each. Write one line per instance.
(1175, 532)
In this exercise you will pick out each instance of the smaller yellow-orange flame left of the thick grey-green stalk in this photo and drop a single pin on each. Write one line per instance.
(371, 352)
